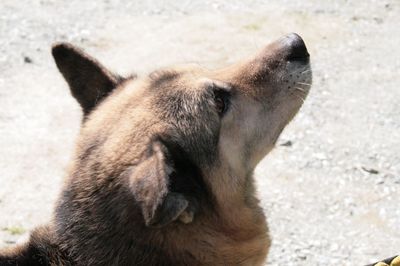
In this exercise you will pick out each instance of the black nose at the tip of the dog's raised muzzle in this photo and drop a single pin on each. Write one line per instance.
(297, 50)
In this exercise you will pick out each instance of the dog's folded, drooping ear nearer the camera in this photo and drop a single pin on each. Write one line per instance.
(149, 182)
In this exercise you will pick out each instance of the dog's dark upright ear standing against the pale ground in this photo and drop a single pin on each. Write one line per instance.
(88, 80)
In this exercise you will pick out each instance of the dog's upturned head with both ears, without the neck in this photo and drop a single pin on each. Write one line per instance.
(184, 131)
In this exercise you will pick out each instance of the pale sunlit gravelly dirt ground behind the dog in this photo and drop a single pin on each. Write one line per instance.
(330, 189)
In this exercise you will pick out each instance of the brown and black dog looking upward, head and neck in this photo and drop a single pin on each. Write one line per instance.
(163, 169)
